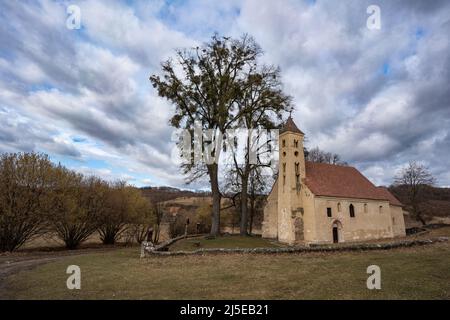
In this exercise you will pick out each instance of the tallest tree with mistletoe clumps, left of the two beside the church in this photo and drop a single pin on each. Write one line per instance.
(204, 84)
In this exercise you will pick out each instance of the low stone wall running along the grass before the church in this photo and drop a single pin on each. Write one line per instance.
(303, 249)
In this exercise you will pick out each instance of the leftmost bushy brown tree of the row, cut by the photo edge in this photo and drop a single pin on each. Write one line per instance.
(25, 181)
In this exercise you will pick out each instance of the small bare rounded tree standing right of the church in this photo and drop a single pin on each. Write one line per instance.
(415, 177)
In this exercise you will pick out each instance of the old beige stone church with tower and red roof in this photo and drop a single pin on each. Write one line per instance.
(323, 203)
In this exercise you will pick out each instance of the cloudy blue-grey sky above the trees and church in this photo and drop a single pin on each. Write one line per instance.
(379, 98)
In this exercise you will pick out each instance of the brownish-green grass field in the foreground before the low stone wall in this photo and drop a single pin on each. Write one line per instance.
(410, 273)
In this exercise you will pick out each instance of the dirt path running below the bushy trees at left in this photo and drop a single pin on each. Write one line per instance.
(17, 262)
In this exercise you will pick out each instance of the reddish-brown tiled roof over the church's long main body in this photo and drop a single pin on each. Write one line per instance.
(345, 182)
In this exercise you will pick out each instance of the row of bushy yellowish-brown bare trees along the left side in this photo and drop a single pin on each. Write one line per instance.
(38, 197)
